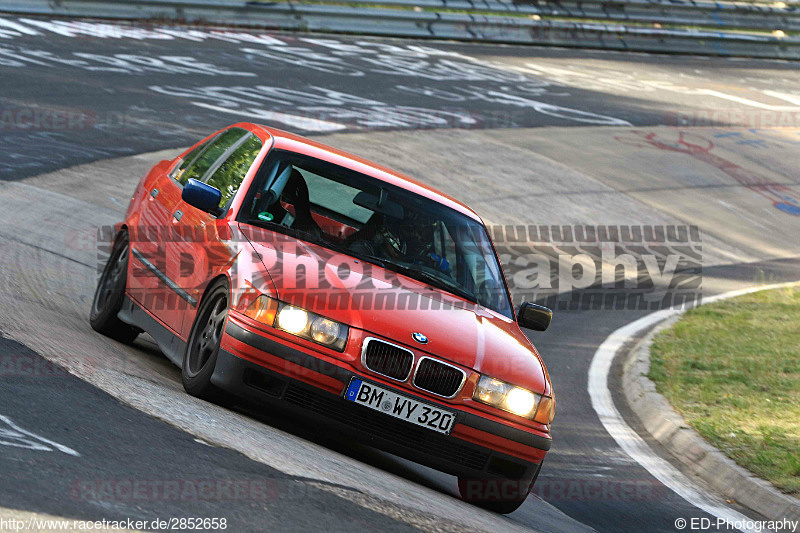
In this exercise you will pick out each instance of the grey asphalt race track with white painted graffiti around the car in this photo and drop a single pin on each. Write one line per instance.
(523, 135)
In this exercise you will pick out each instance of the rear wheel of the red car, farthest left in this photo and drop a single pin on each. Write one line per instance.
(110, 292)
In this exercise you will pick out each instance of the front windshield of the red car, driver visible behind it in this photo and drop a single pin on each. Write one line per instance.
(378, 222)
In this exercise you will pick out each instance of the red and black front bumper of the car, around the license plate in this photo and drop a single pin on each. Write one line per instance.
(298, 383)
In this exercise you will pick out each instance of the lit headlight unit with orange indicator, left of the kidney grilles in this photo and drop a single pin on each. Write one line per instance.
(299, 322)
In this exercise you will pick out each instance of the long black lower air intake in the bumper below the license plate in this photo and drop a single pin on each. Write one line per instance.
(396, 431)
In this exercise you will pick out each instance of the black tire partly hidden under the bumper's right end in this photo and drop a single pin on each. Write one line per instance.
(498, 495)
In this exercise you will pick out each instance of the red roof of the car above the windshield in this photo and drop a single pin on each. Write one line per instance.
(284, 140)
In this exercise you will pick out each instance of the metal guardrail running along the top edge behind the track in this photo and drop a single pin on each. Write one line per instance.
(537, 28)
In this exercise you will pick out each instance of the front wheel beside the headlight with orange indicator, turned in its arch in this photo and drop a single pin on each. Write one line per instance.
(202, 349)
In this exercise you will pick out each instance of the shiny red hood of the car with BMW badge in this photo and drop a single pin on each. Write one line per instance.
(393, 306)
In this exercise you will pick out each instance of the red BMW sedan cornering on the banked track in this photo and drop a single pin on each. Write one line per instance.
(288, 272)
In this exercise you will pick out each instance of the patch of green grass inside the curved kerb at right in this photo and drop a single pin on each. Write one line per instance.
(732, 369)
